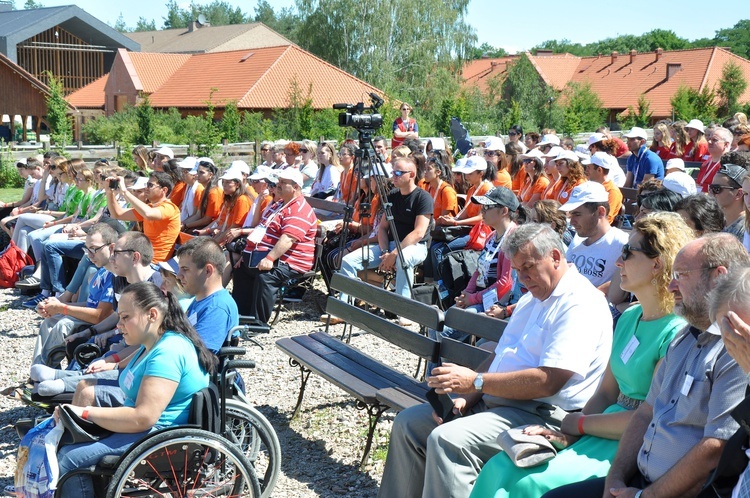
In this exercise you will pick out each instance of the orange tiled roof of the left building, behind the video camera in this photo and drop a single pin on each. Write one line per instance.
(259, 79)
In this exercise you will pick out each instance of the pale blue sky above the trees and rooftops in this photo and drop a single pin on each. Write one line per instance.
(514, 29)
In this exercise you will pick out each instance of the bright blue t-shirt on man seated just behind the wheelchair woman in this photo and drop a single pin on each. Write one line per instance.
(212, 318)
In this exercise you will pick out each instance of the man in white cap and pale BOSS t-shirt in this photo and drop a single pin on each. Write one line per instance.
(597, 244)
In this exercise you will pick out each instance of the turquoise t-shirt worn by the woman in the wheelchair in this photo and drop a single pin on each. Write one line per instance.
(174, 358)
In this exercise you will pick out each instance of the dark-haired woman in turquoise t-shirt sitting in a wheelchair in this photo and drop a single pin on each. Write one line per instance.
(159, 380)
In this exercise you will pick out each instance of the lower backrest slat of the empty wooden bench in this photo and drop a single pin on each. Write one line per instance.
(406, 339)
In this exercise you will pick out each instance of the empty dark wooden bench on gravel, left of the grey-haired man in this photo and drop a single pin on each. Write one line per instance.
(357, 373)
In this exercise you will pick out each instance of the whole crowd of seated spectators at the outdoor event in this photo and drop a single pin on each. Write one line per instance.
(614, 326)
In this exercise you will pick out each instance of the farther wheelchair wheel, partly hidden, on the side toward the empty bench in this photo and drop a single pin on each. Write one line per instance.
(255, 435)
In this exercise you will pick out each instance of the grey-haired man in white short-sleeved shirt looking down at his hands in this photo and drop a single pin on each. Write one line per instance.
(548, 362)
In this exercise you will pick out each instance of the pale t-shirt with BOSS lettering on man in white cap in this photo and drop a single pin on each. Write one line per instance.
(597, 261)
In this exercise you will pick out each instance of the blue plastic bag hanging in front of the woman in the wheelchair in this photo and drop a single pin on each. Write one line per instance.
(37, 470)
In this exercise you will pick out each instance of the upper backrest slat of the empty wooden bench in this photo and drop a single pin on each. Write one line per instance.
(420, 313)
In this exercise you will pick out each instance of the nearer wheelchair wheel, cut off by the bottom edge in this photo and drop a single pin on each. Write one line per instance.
(184, 462)
